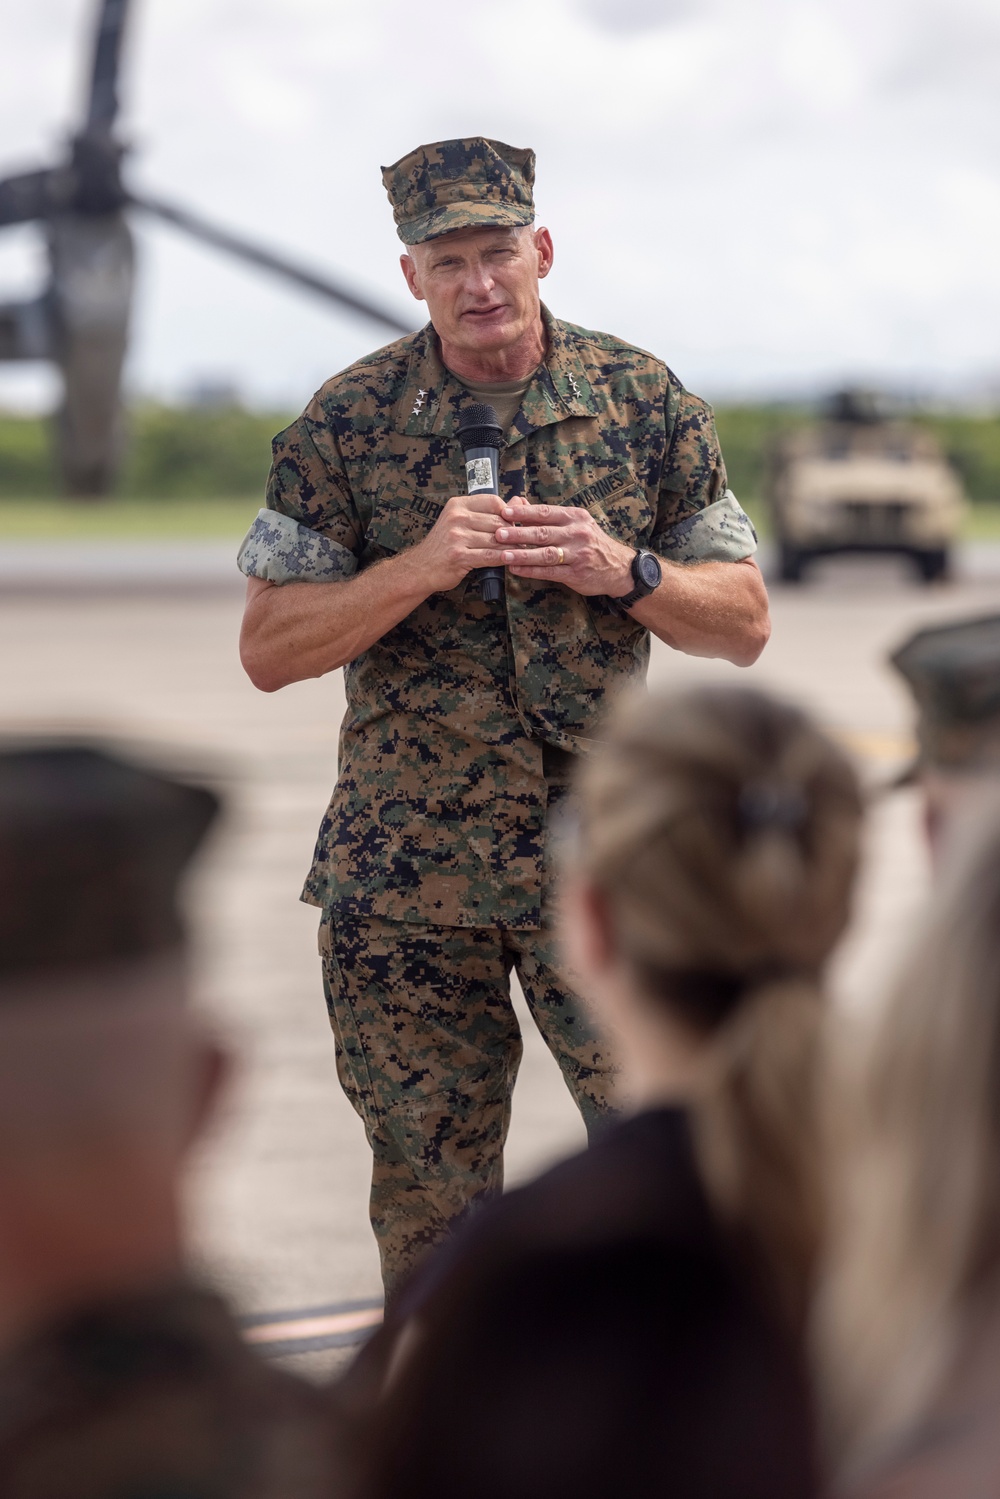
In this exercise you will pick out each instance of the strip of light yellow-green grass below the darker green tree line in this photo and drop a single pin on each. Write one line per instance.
(227, 521)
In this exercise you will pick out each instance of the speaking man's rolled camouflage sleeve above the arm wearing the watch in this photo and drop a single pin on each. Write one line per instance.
(699, 519)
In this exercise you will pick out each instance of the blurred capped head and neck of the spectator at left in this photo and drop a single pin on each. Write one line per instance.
(104, 1074)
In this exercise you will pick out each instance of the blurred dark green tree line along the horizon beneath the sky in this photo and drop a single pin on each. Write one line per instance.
(203, 453)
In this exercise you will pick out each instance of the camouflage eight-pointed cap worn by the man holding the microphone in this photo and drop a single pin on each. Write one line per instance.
(461, 185)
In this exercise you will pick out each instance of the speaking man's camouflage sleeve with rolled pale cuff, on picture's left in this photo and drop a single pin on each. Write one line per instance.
(311, 530)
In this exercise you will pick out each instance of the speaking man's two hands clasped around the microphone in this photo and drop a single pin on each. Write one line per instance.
(554, 543)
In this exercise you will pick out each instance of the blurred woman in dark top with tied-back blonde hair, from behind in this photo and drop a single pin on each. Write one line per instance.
(632, 1323)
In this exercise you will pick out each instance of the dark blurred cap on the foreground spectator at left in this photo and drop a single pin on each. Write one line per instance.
(92, 851)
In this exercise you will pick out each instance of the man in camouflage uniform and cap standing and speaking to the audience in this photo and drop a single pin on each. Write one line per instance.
(615, 522)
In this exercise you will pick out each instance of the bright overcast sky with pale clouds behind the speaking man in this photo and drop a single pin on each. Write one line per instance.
(768, 194)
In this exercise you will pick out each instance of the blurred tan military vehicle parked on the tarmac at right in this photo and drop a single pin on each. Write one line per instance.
(863, 482)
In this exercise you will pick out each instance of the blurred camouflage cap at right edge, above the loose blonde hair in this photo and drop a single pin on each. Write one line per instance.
(954, 674)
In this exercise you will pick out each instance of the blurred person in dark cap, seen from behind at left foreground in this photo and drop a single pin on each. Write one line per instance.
(119, 1377)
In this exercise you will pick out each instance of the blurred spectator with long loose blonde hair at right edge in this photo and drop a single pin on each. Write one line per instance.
(909, 1327)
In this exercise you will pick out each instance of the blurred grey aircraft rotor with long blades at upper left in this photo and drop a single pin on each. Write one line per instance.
(80, 322)
